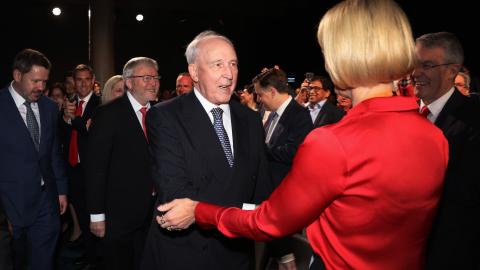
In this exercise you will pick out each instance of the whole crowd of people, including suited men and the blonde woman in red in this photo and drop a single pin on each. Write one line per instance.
(376, 160)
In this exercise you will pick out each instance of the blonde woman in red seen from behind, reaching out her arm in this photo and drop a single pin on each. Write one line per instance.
(350, 182)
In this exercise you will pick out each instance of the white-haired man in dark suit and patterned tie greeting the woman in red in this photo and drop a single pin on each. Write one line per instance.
(207, 147)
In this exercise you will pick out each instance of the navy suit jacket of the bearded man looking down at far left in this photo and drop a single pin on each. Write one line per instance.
(22, 167)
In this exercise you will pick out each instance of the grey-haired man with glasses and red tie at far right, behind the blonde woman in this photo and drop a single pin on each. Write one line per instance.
(454, 240)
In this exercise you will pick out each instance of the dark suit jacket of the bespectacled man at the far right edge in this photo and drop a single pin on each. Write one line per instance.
(455, 239)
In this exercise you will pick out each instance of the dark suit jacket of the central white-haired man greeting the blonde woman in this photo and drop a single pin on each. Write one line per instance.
(189, 162)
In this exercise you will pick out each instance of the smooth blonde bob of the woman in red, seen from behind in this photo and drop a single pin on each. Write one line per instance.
(366, 42)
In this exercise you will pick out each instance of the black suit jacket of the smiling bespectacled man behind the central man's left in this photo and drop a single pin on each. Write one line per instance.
(118, 169)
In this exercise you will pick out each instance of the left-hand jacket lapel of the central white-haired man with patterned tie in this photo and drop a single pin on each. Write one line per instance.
(200, 132)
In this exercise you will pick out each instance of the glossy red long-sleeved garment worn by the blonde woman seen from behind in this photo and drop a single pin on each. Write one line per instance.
(366, 187)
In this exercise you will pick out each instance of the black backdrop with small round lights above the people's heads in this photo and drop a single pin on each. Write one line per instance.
(265, 33)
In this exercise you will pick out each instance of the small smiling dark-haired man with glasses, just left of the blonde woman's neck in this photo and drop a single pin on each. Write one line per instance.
(321, 110)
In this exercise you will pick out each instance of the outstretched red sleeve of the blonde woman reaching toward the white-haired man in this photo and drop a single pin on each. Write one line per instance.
(317, 177)
